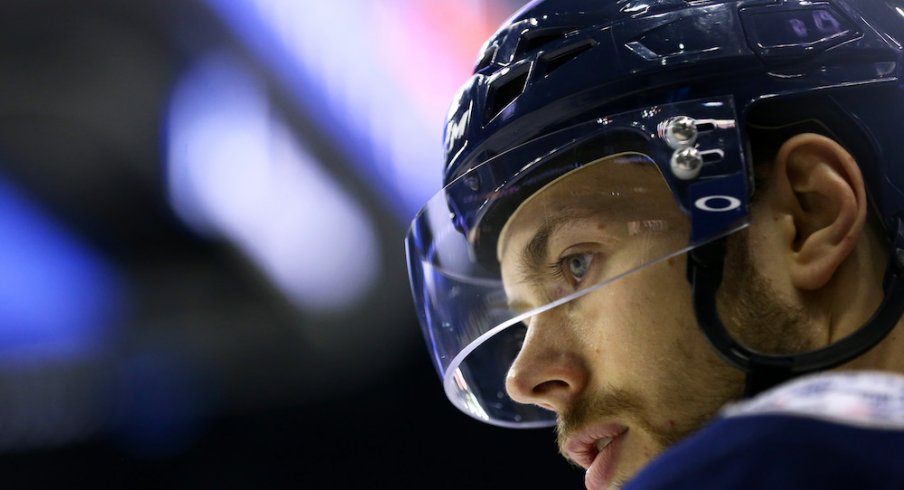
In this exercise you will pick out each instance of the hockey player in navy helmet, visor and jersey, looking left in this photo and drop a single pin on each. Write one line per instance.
(662, 216)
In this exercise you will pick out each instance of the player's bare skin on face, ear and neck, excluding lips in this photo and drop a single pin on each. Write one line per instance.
(806, 273)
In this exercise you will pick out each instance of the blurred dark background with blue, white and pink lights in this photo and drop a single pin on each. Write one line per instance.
(202, 277)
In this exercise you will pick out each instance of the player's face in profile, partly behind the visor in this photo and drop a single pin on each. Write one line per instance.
(627, 361)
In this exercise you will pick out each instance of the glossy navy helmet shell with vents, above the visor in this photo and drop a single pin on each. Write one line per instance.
(557, 63)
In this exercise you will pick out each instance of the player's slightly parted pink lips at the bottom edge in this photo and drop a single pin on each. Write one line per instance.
(596, 449)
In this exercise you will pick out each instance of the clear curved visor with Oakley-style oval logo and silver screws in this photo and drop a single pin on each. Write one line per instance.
(555, 220)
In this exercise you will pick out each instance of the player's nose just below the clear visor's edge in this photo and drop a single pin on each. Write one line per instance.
(549, 370)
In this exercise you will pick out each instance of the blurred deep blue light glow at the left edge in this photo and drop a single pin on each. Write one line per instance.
(58, 298)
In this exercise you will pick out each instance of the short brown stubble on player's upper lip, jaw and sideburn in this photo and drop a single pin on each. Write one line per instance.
(754, 313)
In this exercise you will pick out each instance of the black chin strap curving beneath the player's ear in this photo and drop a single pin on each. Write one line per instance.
(704, 269)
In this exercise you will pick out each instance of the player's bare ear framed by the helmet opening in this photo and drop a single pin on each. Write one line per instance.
(820, 186)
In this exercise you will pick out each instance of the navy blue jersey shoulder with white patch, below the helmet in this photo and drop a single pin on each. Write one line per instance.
(829, 431)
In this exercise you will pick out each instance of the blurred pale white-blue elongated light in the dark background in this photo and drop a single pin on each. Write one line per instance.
(235, 170)
